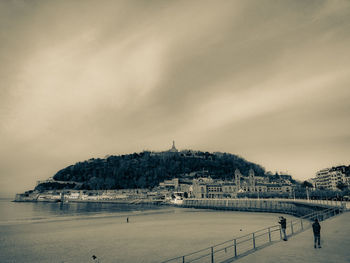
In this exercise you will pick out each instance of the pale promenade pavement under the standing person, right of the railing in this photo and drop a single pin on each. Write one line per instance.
(335, 243)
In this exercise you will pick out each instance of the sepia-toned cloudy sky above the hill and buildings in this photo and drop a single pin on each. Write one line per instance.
(266, 80)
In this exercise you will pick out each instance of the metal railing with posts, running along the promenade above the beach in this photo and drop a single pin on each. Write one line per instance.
(241, 246)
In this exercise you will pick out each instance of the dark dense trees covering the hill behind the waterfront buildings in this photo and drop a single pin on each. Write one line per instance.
(147, 169)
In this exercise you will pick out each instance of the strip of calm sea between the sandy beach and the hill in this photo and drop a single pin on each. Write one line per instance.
(17, 211)
